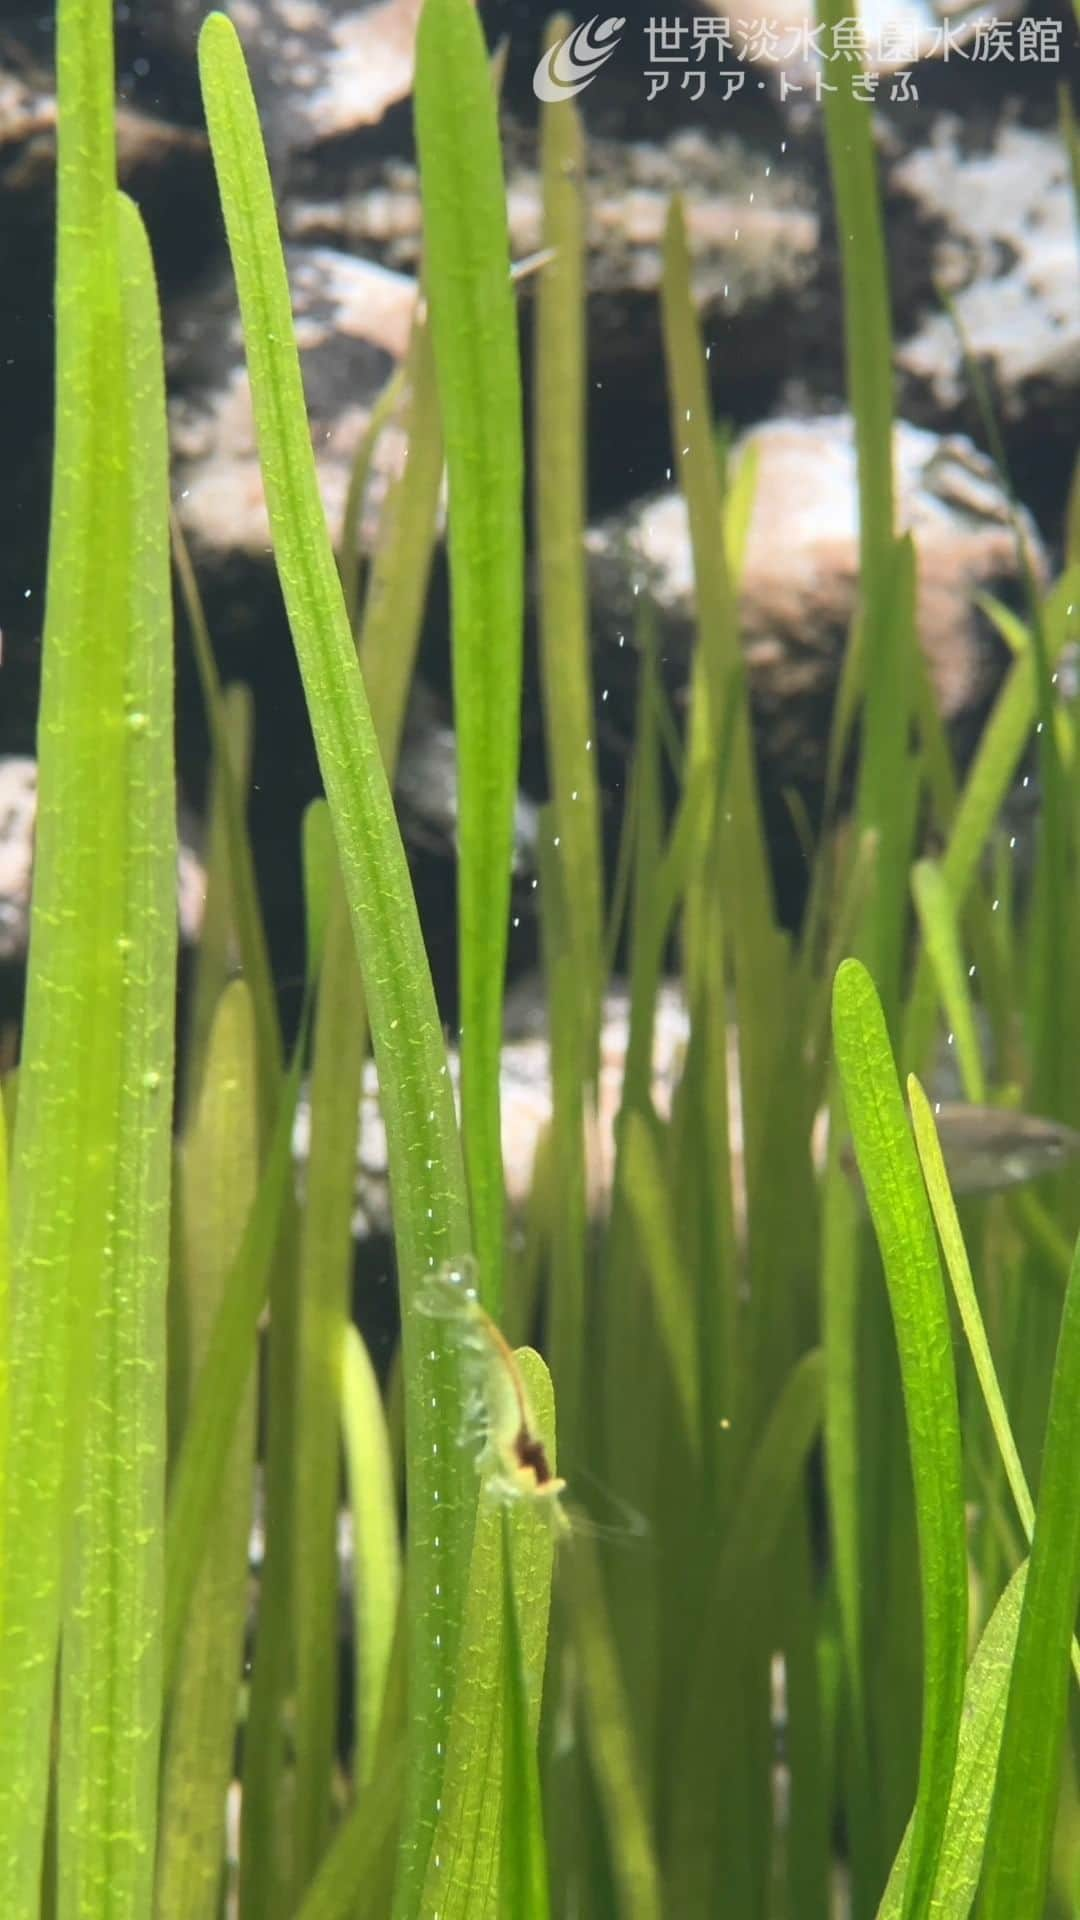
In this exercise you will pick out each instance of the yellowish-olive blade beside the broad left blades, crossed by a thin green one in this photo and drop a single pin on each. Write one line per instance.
(218, 1186)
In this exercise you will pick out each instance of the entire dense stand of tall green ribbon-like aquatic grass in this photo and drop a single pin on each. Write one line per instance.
(812, 1650)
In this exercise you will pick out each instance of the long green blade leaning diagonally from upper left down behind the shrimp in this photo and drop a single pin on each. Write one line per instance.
(428, 1182)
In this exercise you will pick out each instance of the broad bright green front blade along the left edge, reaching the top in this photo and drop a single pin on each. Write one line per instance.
(86, 942)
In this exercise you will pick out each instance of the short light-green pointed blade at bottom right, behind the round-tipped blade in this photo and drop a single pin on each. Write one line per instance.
(987, 1691)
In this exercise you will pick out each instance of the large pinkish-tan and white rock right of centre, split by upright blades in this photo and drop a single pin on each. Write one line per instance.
(800, 573)
